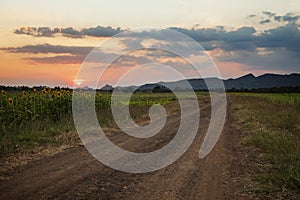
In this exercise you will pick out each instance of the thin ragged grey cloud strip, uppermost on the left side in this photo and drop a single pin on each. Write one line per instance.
(99, 31)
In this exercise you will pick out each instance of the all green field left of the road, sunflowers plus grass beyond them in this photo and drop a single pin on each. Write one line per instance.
(35, 117)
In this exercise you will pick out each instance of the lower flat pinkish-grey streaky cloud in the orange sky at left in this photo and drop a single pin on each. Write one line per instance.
(74, 55)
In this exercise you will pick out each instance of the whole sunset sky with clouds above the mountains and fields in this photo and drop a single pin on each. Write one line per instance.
(47, 42)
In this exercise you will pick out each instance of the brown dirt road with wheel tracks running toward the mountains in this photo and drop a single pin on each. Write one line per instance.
(74, 174)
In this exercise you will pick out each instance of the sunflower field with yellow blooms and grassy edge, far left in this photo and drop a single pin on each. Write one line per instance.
(36, 117)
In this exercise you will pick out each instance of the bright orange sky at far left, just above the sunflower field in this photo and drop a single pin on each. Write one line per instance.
(16, 71)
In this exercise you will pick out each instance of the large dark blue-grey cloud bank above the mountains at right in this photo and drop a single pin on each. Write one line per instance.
(281, 45)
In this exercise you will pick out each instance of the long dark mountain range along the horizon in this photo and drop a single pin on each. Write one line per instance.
(248, 81)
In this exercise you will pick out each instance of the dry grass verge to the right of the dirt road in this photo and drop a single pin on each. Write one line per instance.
(272, 124)
